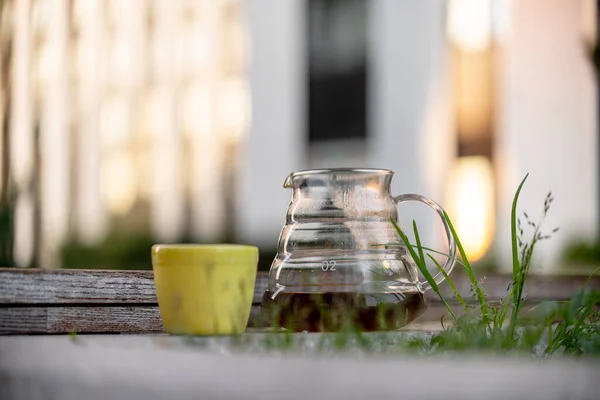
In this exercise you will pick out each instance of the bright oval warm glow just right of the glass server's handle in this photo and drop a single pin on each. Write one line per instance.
(470, 204)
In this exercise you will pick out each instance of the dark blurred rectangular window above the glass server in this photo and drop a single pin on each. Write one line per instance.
(337, 69)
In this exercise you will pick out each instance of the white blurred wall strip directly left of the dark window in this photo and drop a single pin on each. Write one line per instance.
(275, 145)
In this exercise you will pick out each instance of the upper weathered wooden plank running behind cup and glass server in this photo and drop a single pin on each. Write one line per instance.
(77, 287)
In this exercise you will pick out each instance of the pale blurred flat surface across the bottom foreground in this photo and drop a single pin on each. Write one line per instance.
(164, 367)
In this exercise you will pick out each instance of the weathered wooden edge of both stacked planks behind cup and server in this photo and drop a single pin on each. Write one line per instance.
(38, 301)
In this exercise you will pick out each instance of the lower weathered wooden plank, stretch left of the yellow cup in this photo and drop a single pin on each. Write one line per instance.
(28, 320)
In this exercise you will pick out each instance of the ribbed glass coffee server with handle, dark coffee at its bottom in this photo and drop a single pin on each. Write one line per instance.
(340, 261)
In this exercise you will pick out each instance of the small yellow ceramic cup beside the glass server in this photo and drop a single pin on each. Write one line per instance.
(204, 289)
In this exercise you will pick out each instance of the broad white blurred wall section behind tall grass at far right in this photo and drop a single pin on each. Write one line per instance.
(548, 125)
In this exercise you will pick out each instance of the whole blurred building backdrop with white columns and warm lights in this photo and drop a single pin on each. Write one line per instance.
(128, 122)
